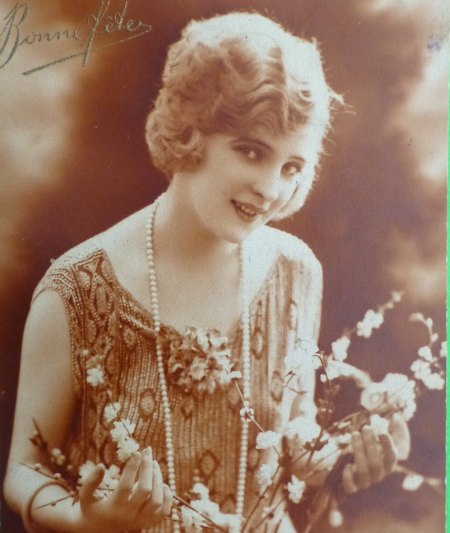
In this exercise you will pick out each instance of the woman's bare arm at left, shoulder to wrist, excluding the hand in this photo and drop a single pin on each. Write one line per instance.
(45, 394)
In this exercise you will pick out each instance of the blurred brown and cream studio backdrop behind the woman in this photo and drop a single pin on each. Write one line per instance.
(73, 161)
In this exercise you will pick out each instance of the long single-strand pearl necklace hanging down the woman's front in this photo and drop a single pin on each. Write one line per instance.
(240, 490)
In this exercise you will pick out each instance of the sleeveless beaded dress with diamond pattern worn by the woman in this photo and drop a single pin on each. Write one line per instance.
(106, 320)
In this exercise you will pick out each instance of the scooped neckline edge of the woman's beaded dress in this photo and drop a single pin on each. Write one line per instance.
(233, 330)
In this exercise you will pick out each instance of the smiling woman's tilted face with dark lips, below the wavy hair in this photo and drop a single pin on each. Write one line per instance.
(244, 181)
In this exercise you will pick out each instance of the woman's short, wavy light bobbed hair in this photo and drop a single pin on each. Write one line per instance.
(233, 74)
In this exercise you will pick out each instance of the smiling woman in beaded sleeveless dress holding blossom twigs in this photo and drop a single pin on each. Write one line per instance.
(123, 329)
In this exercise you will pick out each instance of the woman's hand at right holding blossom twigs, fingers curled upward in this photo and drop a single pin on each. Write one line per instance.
(375, 458)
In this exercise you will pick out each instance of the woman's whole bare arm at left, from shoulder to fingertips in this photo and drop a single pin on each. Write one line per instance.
(46, 395)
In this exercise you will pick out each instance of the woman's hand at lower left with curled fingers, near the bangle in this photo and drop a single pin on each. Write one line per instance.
(140, 500)
